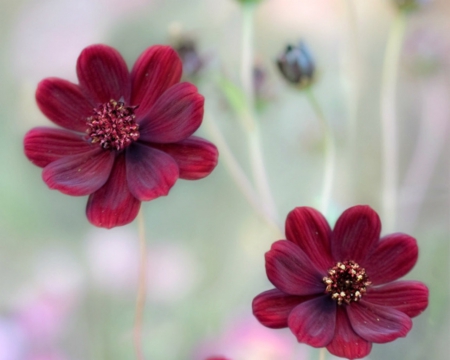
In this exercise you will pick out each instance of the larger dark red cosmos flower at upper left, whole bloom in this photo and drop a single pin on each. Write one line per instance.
(127, 135)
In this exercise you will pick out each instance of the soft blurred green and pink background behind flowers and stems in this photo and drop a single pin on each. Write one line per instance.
(68, 290)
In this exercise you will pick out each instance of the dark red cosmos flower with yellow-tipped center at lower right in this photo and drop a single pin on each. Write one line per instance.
(335, 289)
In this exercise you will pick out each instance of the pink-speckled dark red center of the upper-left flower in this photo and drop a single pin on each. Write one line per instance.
(112, 126)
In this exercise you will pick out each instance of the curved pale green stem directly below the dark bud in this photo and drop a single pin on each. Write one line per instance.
(330, 153)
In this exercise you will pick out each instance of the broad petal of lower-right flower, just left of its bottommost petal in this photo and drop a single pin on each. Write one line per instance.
(313, 321)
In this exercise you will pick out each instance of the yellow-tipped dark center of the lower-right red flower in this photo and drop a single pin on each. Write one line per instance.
(347, 282)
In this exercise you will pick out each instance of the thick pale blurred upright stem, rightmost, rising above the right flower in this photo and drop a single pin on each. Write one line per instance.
(388, 121)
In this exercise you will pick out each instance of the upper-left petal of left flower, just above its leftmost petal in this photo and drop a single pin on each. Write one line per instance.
(64, 103)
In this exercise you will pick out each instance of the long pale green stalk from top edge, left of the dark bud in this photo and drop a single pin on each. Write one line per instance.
(249, 116)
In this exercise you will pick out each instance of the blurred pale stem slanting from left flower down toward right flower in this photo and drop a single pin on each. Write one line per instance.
(236, 172)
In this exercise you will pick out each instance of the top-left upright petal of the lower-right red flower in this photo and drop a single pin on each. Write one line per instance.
(307, 228)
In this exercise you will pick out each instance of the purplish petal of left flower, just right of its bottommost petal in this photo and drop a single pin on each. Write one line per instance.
(150, 172)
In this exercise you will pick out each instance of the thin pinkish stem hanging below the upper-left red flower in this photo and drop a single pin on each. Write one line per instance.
(142, 289)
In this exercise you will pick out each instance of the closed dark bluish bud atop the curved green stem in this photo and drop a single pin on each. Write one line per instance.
(297, 65)
